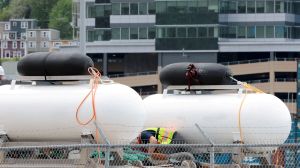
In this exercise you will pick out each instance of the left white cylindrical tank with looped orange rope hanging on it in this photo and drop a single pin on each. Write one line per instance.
(44, 113)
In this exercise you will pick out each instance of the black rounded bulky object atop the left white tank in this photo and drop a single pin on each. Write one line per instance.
(54, 64)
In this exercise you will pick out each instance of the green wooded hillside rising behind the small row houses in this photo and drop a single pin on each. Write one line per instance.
(56, 14)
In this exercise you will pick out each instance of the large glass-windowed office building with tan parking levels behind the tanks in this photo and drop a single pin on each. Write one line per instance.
(258, 39)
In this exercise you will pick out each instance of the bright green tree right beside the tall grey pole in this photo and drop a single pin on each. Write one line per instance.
(61, 17)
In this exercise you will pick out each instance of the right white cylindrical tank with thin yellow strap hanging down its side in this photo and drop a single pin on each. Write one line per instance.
(263, 117)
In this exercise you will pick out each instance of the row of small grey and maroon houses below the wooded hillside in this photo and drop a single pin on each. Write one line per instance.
(21, 36)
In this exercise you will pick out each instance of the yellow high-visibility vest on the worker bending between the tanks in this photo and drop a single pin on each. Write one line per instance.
(163, 135)
